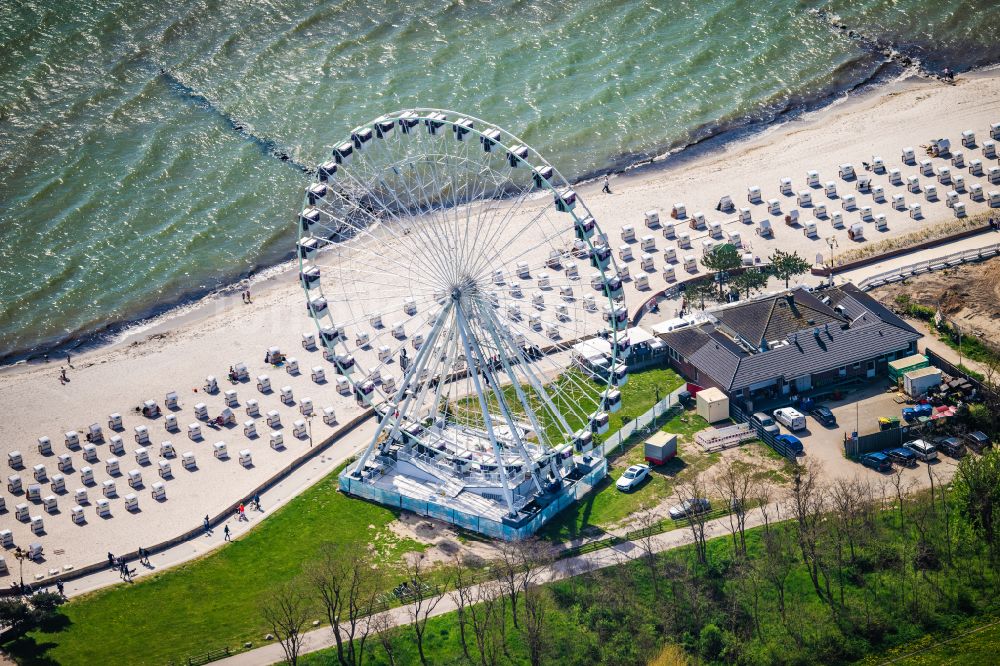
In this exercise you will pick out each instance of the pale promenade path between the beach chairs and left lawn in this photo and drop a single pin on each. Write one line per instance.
(279, 495)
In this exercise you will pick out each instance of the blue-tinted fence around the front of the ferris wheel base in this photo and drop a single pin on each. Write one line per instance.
(480, 524)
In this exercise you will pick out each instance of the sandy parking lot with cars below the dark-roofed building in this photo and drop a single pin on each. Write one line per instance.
(859, 408)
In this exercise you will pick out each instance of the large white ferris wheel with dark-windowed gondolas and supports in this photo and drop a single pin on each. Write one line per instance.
(450, 271)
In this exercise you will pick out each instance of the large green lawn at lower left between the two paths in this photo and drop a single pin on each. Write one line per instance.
(213, 601)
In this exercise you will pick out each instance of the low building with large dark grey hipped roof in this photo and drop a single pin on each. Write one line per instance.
(794, 341)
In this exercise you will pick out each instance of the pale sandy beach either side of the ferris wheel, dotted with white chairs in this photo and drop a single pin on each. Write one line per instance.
(177, 353)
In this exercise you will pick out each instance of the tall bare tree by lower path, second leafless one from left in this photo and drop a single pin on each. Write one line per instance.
(346, 583)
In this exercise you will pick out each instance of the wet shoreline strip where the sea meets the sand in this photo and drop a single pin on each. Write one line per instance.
(163, 316)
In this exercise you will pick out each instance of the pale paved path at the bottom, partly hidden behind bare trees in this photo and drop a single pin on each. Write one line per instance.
(322, 638)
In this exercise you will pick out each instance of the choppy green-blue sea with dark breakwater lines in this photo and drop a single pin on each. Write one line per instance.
(131, 182)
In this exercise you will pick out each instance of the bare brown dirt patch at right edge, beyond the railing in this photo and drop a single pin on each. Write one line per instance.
(968, 296)
